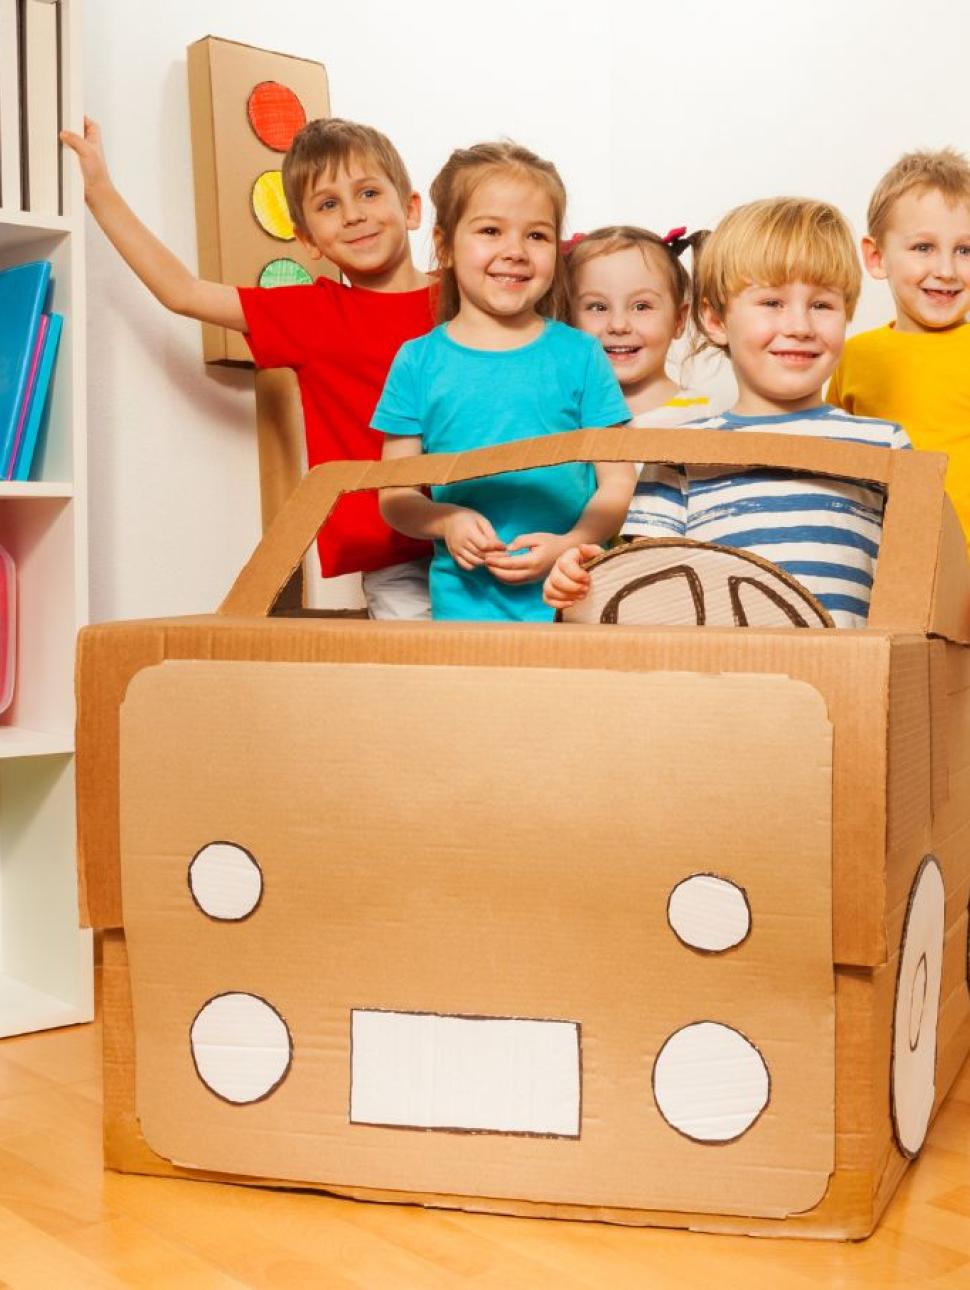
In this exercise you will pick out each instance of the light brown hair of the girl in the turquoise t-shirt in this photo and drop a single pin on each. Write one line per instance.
(452, 190)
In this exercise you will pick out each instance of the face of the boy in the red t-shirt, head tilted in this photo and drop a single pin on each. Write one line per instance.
(357, 219)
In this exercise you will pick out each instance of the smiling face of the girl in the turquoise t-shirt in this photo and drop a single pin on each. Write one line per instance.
(504, 253)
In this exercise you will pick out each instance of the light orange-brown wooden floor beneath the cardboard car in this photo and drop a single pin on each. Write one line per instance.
(68, 1226)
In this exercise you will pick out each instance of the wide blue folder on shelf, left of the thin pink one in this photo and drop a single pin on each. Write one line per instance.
(24, 292)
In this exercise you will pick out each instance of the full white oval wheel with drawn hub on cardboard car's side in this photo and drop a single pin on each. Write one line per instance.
(914, 1071)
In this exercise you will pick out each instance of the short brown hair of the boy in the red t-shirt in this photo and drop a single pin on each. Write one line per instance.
(331, 145)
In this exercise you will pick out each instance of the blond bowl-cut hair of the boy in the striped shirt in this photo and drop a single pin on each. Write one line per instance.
(776, 242)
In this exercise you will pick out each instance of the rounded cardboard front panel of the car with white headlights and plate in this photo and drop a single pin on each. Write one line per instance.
(394, 953)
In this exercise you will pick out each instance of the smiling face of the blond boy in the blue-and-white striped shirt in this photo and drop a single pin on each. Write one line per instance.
(784, 344)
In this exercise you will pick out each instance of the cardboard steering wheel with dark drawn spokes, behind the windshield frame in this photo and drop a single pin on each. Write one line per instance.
(674, 582)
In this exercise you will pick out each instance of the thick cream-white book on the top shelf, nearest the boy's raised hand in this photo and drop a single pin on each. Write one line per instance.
(42, 108)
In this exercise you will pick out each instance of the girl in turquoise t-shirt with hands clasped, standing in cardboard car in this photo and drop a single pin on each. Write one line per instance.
(500, 368)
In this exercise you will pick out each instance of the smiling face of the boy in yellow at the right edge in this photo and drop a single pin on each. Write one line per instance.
(925, 256)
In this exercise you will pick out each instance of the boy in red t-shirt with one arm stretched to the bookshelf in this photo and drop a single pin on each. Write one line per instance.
(351, 202)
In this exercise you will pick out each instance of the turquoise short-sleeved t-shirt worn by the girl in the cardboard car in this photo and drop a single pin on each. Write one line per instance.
(457, 399)
